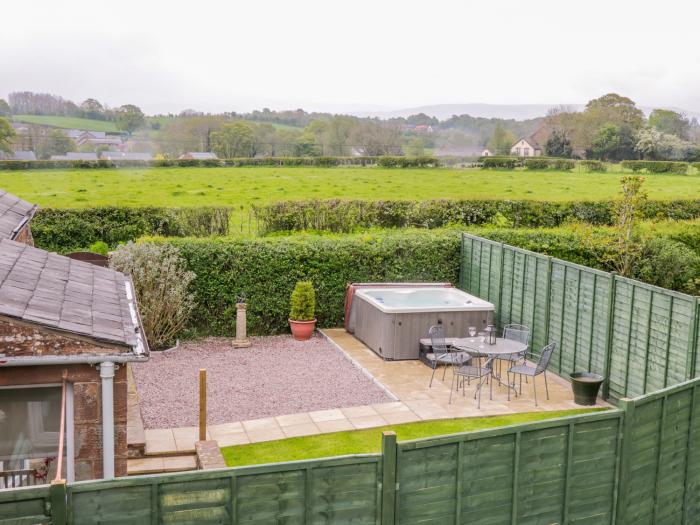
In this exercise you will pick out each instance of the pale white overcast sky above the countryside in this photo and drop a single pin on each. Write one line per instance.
(341, 56)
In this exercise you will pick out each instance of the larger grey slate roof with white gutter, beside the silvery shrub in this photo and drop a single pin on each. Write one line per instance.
(73, 296)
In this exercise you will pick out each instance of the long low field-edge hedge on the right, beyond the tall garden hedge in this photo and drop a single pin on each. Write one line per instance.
(342, 216)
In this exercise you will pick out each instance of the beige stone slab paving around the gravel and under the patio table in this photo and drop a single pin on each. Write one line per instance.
(407, 381)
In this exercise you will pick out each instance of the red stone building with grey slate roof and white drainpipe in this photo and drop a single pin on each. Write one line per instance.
(67, 330)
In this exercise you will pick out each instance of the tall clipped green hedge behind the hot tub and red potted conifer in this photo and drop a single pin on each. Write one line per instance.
(266, 271)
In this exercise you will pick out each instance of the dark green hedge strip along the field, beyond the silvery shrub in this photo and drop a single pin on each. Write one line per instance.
(66, 230)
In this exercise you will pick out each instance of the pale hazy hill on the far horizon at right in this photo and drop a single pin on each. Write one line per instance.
(502, 111)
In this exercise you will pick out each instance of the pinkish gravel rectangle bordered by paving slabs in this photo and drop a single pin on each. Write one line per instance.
(276, 376)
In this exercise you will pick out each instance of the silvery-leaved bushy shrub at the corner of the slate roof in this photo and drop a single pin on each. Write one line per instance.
(161, 284)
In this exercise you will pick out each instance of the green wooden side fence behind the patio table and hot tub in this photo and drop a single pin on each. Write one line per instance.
(641, 338)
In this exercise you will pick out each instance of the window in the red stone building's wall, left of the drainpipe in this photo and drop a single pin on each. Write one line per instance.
(30, 418)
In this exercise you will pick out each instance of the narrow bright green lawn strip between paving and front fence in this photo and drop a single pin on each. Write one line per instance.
(368, 441)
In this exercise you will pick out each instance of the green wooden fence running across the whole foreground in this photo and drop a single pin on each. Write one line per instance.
(633, 465)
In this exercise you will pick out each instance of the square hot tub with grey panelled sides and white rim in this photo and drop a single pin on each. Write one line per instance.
(391, 321)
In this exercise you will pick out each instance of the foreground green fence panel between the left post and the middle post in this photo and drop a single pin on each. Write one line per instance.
(320, 491)
